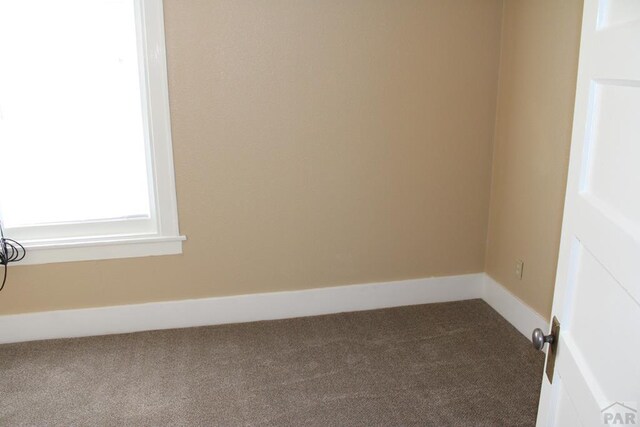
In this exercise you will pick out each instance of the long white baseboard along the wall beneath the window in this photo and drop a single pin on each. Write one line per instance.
(236, 309)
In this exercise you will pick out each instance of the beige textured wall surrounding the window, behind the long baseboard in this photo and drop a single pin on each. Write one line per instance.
(316, 143)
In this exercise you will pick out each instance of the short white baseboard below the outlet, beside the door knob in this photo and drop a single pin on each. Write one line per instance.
(524, 318)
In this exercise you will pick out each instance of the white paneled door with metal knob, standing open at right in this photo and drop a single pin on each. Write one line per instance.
(596, 380)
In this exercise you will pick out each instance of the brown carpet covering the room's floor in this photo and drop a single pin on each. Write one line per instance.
(456, 364)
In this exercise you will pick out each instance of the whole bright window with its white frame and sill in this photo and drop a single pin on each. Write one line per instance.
(85, 142)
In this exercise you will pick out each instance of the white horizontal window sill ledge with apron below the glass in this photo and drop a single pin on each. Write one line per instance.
(111, 247)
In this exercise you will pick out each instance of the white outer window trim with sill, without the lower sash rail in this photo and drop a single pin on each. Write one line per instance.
(166, 238)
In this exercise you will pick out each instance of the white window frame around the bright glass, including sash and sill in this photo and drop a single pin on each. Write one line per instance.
(133, 237)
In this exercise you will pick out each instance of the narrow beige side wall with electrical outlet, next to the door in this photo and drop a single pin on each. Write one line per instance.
(540, 43)
